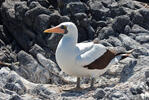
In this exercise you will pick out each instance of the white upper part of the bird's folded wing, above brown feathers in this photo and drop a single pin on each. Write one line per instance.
(88, 54)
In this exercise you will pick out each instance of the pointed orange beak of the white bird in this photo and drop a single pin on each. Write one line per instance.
(55, 30)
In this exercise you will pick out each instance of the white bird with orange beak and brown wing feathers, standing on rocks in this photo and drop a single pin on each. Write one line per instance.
(82, 59)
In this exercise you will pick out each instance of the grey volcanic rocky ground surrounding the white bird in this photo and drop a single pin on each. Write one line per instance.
(28, 70)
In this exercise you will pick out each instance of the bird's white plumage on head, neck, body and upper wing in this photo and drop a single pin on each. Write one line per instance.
(72, 56)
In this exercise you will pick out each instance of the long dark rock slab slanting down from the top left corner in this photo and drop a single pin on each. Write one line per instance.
(13, 26)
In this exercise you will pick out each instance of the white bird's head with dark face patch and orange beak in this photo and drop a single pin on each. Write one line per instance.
(66, 28)
